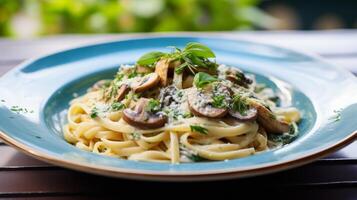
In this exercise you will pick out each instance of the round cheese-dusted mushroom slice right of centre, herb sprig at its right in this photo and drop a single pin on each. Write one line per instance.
(199, 104)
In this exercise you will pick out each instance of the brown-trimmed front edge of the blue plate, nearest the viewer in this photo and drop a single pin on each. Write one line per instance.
(190, 176)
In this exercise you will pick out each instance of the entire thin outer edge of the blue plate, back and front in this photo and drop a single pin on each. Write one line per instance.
(187, 175)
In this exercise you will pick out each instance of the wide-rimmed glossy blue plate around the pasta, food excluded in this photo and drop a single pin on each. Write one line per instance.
(35, 95)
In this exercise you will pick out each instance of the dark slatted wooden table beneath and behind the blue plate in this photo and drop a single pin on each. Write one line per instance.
(22, 177)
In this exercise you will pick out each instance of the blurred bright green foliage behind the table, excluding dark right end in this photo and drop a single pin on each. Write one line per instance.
(110, 16)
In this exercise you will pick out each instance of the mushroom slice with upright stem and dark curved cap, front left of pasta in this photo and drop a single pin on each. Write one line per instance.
(142, 119)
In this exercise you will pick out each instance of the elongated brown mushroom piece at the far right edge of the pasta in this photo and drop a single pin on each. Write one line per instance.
(268, 120)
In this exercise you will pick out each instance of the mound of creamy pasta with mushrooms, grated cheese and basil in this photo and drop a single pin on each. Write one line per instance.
(180, 106)
